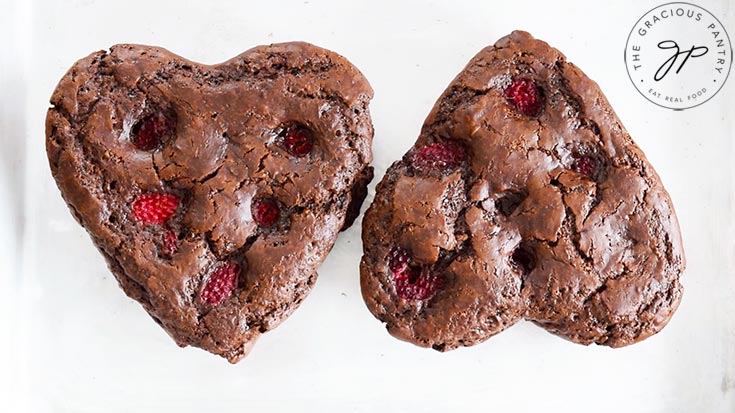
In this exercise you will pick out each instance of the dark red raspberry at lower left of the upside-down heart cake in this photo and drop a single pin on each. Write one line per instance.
(412, 282)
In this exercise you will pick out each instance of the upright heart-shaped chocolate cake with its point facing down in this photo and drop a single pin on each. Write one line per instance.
(213, 192)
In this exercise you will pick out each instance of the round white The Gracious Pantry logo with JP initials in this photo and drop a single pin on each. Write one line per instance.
(678, 55)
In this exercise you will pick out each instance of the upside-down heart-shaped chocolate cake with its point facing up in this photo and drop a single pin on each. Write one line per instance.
(524, 197)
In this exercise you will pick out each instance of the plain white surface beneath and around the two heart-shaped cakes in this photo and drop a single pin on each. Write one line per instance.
(73, 342)
